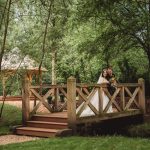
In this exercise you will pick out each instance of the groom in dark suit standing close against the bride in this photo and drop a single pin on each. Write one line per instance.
(111, 78)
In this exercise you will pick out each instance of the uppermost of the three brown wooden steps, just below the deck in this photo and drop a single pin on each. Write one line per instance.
(49, 118)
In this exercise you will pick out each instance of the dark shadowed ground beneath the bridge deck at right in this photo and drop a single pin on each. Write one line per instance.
(127, 126)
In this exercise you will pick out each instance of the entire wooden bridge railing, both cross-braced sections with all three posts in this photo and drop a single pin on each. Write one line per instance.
(77, 97)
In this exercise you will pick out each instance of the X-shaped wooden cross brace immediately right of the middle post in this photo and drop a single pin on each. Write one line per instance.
(87, 102)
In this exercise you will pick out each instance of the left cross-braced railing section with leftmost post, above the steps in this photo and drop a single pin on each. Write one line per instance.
(53, 97)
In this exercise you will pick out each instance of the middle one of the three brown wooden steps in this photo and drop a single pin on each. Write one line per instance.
(49, 125)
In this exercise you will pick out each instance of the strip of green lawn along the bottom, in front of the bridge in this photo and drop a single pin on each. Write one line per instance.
(83, 143)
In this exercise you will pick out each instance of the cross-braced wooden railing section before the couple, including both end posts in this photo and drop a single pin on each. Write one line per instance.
(126, 97)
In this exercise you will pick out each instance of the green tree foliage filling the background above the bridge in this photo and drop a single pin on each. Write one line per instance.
(87, 35)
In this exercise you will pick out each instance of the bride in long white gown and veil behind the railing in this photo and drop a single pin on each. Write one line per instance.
(95, 98)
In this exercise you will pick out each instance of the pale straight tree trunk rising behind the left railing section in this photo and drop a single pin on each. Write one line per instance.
(54, 55)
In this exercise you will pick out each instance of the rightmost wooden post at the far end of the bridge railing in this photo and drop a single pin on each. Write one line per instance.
(142, 95)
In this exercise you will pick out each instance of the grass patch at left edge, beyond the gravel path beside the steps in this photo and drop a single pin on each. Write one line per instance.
(11, 116)
